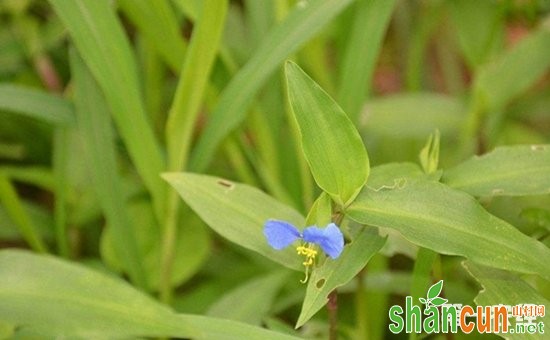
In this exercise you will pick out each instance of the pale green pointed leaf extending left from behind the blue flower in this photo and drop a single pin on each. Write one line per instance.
(238, 212)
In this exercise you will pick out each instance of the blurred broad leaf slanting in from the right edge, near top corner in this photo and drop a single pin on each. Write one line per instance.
(515, 71)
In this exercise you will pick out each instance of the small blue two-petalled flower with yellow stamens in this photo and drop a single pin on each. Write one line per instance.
(281, 234)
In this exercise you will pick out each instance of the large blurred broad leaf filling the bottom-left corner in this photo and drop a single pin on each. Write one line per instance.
(52, 297)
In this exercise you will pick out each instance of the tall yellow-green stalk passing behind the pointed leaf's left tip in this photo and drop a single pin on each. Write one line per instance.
(182, 118)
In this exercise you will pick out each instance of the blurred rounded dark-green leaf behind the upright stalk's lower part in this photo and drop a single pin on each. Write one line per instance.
(192, 244)
